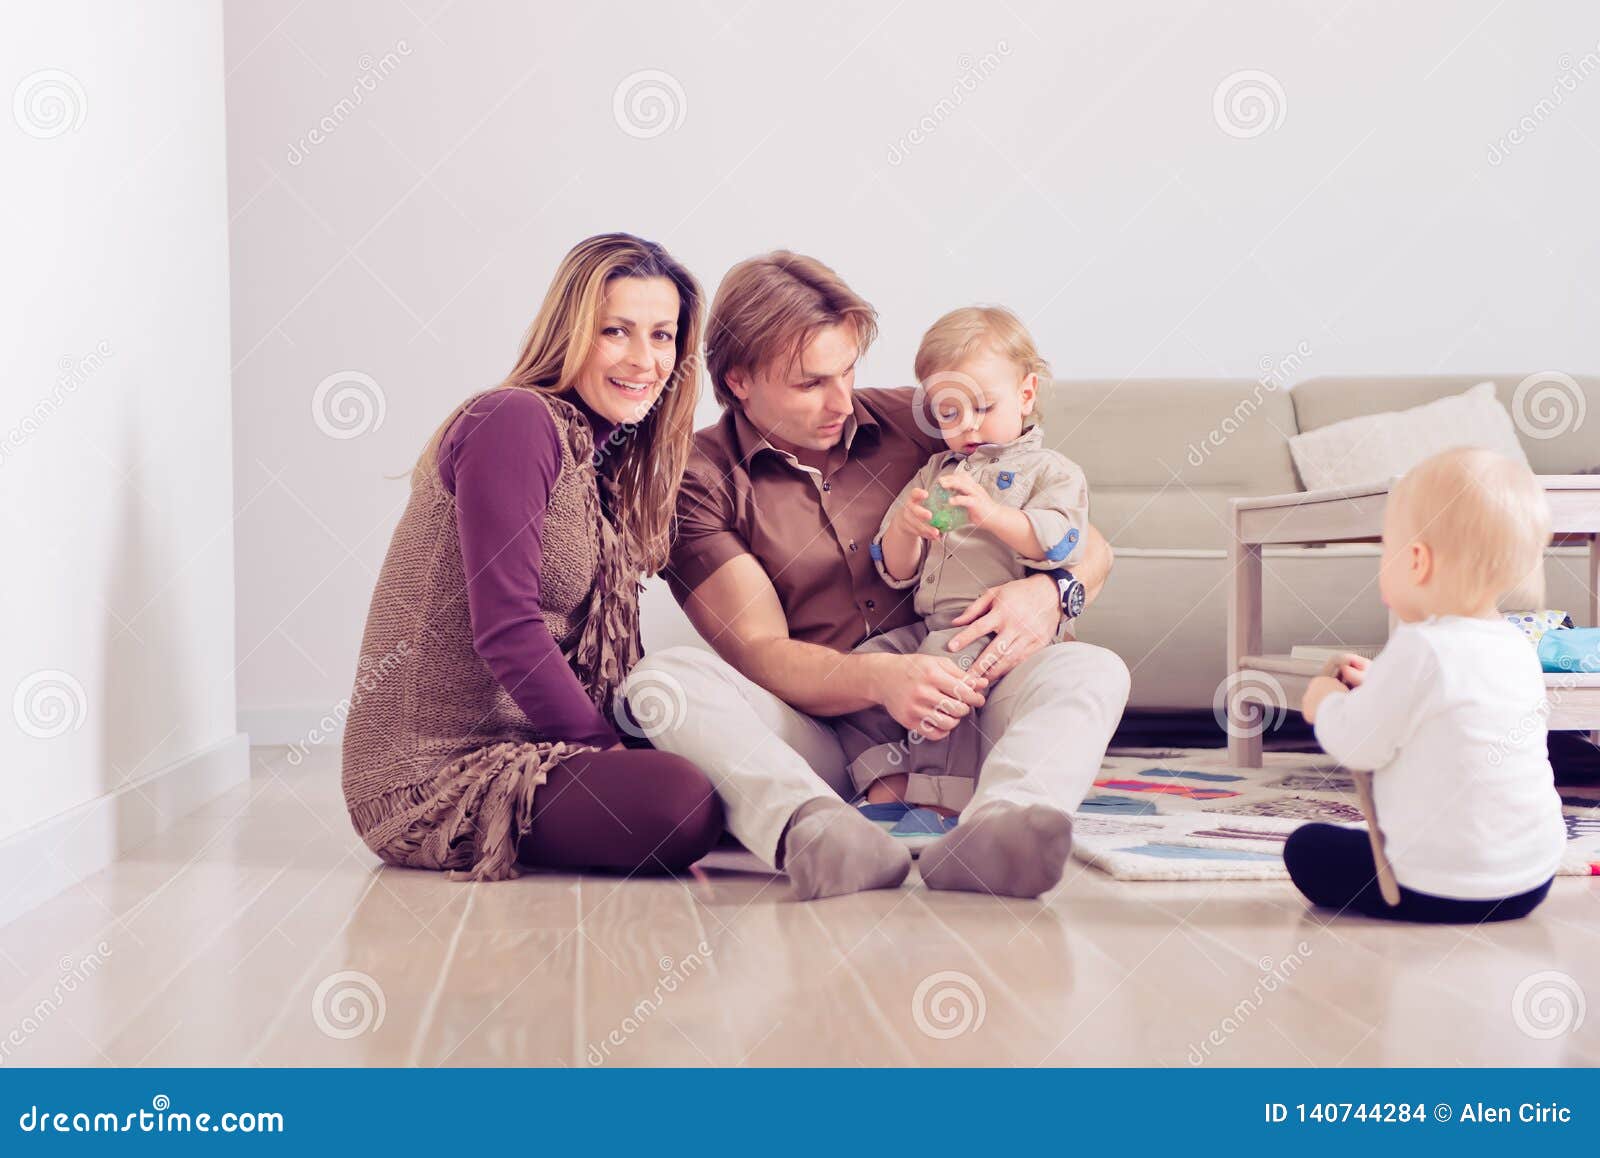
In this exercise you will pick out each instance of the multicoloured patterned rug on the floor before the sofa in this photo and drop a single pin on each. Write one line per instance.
(1167, 815)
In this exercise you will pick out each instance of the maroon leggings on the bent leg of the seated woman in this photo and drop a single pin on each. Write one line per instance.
(633, 810)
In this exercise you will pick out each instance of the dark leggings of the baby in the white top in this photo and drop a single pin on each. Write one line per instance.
(1335, 869)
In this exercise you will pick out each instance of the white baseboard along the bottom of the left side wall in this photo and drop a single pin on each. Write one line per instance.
(55, 855)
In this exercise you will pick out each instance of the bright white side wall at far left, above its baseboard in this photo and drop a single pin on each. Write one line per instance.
(116, 466)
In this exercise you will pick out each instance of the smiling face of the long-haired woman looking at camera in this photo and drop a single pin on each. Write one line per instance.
(634, 348)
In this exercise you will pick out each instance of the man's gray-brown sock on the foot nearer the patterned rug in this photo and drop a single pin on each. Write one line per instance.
(1012, 850)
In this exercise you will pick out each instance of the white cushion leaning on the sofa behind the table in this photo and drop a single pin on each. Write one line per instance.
(1374, 449)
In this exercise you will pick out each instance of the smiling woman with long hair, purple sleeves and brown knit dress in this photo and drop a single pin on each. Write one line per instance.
(506, 613)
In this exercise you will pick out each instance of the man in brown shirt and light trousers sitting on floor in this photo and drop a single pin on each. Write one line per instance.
(778, 509)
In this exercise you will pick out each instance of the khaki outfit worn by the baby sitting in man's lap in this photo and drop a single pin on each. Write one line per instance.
(956, 570)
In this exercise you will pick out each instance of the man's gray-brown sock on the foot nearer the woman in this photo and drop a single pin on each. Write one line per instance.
(831, 849)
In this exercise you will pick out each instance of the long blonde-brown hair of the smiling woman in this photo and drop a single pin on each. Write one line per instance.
(657, 447)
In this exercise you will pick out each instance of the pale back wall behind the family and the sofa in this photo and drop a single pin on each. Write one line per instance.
(1081, 174)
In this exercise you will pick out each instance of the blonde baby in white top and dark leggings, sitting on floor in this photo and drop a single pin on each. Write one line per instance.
(1450, 717)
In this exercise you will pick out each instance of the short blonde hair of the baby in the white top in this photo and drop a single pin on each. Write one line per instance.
(1487, 522)
